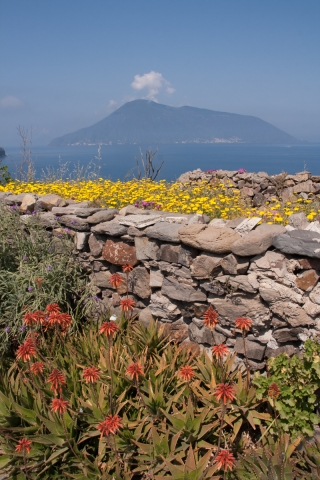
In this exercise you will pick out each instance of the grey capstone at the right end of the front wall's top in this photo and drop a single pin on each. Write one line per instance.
(299, 242)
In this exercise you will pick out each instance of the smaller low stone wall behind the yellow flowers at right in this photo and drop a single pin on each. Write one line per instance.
(260, 187)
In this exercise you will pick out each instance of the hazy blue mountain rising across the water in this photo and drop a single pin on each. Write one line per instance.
(145, 122)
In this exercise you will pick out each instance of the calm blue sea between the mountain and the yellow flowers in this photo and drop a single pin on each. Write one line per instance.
(118, 161)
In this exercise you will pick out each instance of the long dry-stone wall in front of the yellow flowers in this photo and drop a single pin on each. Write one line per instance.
(184, 263)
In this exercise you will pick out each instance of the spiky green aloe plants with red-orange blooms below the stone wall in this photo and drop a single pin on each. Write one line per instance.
(146, 408)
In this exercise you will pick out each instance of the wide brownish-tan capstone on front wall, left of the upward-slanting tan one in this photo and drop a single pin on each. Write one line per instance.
(210, 239)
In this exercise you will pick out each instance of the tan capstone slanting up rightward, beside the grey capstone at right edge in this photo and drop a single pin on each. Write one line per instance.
(257, 241)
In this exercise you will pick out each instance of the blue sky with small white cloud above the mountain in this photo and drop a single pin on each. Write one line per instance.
(67, 64)
